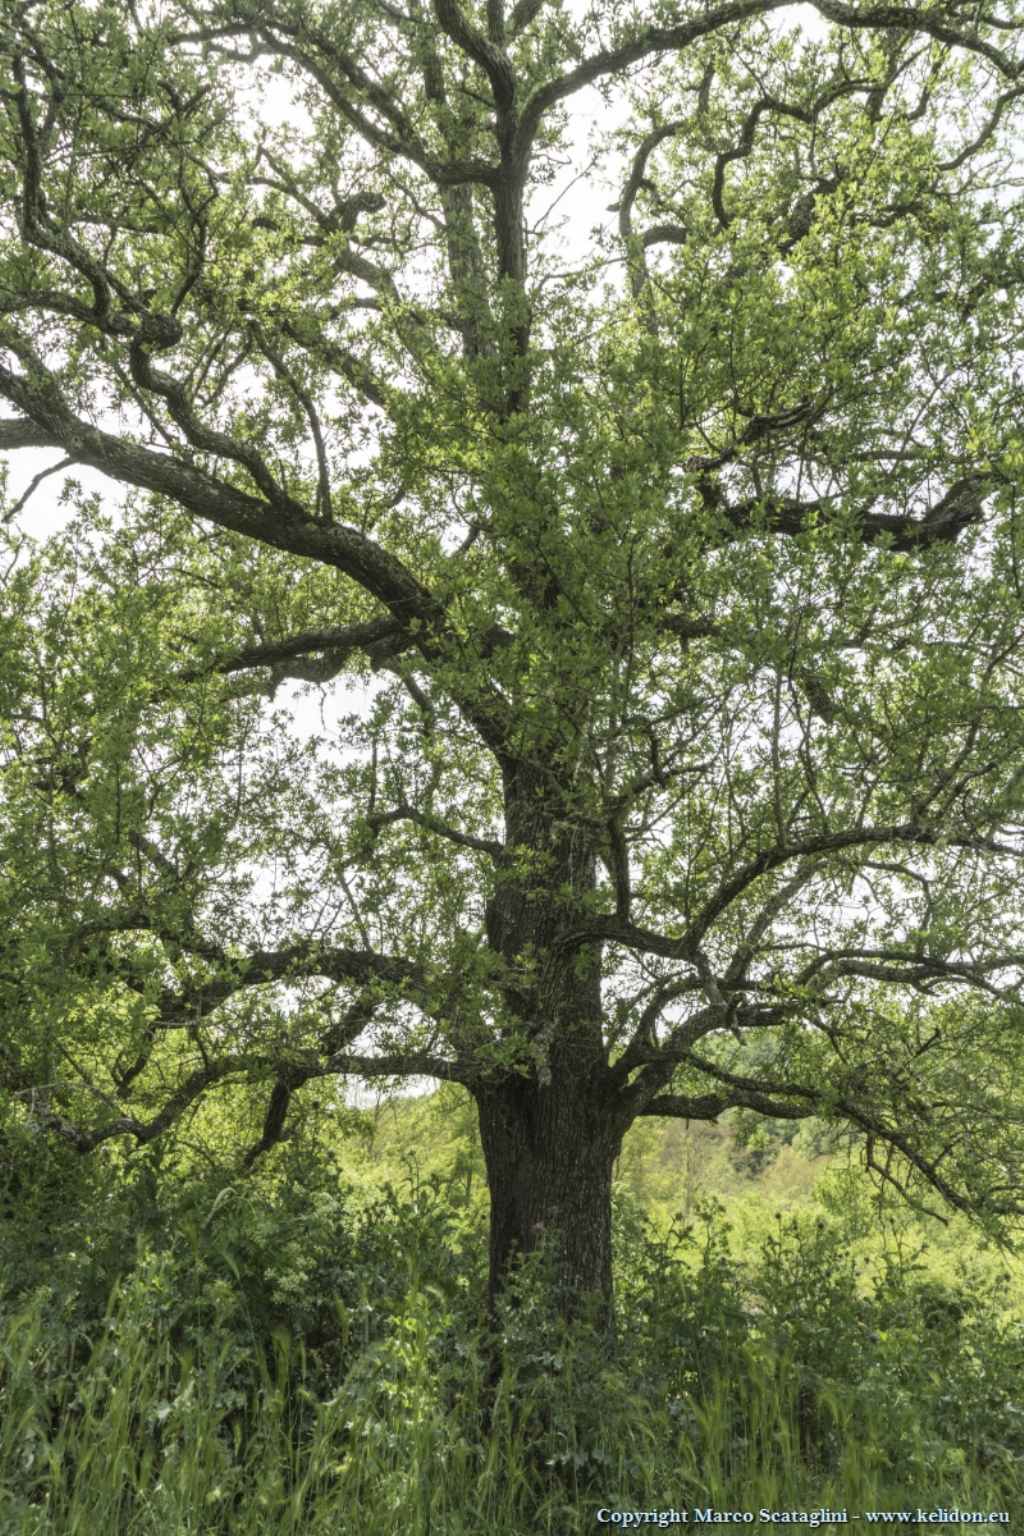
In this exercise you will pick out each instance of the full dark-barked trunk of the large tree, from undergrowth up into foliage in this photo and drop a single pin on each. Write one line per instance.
(550, 1130)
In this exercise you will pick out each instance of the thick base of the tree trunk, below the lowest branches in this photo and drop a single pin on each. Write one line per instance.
(550, 1153)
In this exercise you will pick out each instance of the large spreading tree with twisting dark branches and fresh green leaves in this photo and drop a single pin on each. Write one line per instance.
(672, 571)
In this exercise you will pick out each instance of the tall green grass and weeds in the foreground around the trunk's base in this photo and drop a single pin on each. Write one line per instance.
(144, 1426)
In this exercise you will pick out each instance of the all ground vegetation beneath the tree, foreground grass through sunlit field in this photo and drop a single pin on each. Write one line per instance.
(308, 1349)
